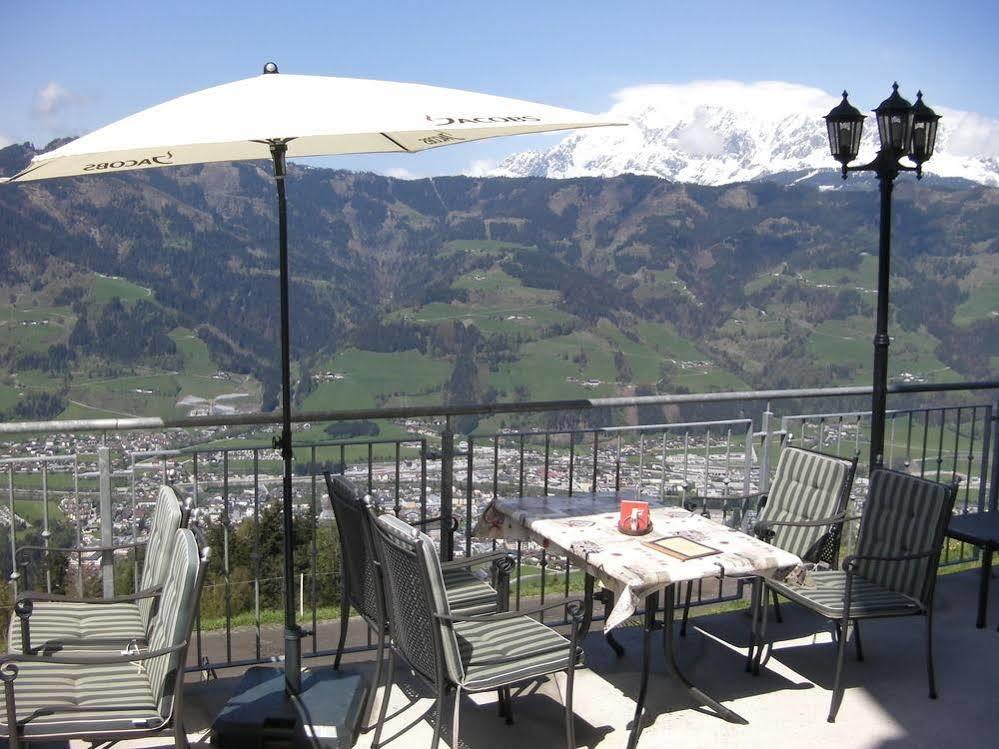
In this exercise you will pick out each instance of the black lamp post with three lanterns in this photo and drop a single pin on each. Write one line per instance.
(906, 130)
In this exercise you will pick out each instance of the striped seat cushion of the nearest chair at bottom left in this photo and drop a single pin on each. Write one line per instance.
(65, 693)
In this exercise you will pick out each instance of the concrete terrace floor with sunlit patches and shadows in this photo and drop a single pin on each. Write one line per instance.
(885, 705)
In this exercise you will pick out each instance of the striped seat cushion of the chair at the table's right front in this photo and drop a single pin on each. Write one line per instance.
(867, 598)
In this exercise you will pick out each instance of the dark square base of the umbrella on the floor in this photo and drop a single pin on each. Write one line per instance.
(327, 713)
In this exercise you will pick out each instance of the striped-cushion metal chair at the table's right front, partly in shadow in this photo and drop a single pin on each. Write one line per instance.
(893, 572)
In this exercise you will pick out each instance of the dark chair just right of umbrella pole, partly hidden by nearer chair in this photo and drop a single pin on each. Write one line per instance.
(362, 589)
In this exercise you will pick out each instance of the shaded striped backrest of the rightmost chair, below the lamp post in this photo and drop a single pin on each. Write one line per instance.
(904, 514)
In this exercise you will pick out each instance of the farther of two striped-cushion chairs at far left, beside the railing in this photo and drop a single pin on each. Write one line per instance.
(47, 622)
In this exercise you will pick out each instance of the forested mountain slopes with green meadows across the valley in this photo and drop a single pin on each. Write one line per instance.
(128, 293)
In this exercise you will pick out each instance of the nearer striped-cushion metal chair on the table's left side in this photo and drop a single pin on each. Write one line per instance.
(450, 651)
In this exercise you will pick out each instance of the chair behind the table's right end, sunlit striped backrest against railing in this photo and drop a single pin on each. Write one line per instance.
(802, 512)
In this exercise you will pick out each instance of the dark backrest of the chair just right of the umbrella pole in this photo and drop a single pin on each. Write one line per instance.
(357, 560)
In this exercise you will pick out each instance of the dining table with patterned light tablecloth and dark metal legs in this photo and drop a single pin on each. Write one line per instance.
(634, 571)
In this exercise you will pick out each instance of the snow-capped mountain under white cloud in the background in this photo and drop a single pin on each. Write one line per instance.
(716, 132)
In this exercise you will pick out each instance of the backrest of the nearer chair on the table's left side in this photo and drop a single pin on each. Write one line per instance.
(415, 594)
